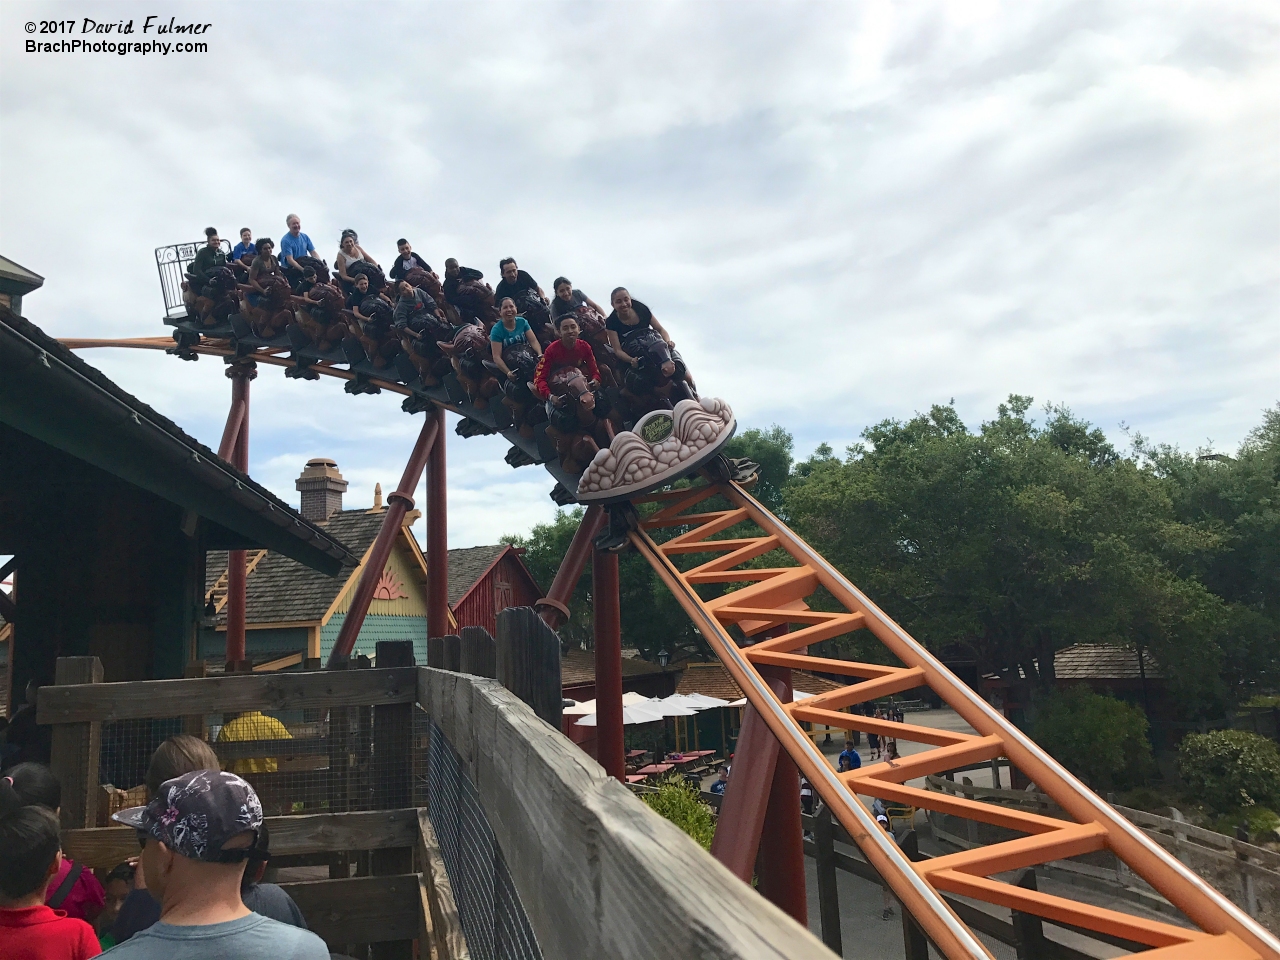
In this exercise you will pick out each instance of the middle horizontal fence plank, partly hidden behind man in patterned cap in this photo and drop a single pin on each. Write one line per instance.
(374, 830)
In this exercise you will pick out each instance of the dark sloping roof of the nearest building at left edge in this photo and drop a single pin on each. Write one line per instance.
(51, 394)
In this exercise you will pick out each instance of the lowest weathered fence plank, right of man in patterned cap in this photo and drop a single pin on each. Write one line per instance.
(360, 909)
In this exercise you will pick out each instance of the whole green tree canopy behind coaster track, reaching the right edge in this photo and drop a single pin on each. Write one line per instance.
(1017, 540)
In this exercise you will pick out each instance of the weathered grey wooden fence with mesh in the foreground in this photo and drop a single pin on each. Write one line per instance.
(597, 874)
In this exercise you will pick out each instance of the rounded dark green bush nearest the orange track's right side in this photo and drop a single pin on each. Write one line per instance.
(1100, 739)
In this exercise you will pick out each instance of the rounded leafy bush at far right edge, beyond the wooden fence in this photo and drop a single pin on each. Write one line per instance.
(1229, 770)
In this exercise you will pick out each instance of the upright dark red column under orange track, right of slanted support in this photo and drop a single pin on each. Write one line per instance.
(781, 836)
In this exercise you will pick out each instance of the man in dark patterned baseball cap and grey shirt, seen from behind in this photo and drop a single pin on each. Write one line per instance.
(198, 834)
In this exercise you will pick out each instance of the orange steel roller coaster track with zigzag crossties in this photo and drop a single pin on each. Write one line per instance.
(772, 600)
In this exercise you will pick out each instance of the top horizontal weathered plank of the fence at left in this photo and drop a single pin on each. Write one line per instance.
(228, 694)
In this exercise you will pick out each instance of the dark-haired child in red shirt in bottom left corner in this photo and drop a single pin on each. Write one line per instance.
(33, 858)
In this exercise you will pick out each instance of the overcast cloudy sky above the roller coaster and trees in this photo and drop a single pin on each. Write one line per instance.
(842, 212)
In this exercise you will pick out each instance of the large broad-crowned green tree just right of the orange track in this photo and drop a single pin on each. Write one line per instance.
(1014, 541)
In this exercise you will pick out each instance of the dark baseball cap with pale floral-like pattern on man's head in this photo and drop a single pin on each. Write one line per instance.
(198, 813)
